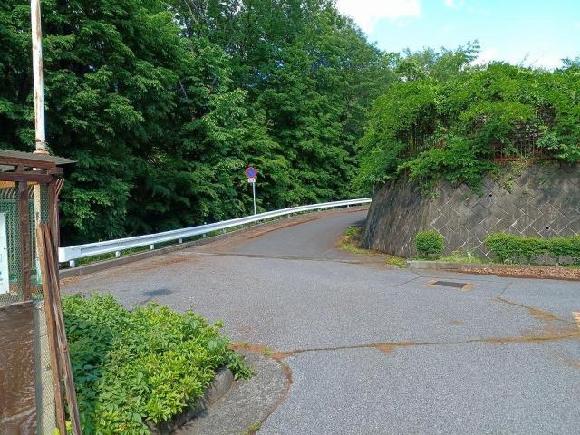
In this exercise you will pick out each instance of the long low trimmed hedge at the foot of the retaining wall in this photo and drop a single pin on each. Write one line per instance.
(509, 248)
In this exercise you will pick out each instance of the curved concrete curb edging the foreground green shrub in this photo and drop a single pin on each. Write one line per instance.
(217, 389)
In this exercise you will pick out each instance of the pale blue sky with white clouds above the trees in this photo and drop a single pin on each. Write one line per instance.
(530, 32)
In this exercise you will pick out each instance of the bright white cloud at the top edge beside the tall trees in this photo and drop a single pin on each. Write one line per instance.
(366, 13)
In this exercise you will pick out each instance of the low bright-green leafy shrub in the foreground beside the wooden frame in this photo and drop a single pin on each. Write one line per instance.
(145, 365)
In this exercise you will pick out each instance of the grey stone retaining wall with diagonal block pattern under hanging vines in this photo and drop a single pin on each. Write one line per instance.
(541, 200)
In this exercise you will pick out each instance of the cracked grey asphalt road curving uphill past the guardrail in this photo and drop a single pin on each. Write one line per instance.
(375, 349)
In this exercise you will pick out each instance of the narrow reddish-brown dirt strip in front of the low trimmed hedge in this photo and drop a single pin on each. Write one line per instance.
(543, 272)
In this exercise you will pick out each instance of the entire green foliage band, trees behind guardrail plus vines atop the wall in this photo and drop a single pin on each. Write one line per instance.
(163, 104)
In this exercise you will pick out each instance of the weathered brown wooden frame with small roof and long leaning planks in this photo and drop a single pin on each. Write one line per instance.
(37, 178)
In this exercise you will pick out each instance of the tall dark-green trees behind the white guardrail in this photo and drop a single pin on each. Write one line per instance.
(164, 103)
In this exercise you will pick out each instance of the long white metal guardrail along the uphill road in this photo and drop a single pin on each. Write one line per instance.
(71, 253)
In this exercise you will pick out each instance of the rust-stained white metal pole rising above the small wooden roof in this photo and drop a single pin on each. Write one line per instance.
(37, 67)
